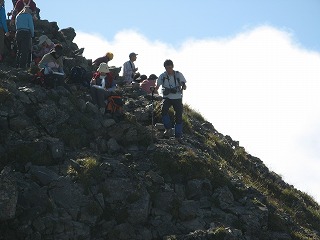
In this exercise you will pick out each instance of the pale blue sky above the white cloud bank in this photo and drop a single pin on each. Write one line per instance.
(177, 20)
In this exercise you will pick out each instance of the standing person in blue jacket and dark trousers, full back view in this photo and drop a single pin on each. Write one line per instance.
(24, 35)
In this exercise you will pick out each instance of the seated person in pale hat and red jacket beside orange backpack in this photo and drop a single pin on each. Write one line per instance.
(102, 85)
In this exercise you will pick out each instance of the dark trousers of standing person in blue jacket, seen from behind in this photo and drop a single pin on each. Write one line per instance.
(23, 39)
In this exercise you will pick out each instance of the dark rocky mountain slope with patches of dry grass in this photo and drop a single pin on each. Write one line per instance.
(69, 172)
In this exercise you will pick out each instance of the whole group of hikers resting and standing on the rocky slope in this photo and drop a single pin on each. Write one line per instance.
(49, 57)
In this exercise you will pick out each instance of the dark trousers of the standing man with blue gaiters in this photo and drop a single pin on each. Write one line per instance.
(178, 108)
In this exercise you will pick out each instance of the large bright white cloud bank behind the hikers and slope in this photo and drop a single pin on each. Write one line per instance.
(259, 87)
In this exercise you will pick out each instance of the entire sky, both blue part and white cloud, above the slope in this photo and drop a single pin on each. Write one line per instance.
(252, 67)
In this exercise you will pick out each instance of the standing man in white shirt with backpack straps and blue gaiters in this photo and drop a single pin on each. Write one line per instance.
(173, 83)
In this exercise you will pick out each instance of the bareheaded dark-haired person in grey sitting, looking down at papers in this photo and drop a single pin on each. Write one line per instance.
(52, 67)
